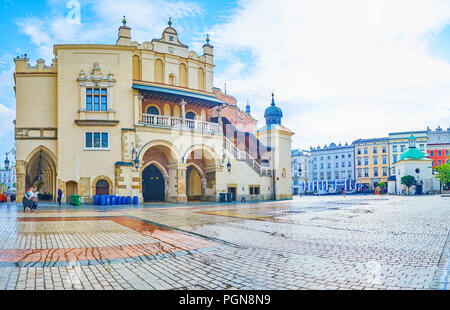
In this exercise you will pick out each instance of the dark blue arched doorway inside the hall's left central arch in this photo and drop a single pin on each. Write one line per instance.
(153, 184)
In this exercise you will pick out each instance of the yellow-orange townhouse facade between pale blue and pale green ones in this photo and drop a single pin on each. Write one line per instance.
(371, 162)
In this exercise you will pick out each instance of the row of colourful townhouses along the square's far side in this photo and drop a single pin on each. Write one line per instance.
(364, 163)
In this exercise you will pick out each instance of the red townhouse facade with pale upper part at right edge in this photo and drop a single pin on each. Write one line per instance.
(438, 148)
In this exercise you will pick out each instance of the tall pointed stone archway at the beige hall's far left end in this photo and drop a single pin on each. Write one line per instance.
(40, 172)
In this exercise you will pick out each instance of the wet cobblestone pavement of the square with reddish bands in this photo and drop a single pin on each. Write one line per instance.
(353, 242)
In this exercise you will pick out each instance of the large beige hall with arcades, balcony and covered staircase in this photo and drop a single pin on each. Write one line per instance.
(140, 119)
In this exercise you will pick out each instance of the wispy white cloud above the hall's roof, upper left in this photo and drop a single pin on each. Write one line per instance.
(100, 21)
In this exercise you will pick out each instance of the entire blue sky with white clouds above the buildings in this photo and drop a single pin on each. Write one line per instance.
(340, 70)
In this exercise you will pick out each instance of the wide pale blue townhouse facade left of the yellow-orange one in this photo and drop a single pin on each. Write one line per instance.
(331, 169)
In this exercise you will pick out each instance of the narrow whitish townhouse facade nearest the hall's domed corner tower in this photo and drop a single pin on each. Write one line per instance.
(300, 171)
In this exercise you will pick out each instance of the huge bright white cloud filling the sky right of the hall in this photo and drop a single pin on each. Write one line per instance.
(340, 69)
